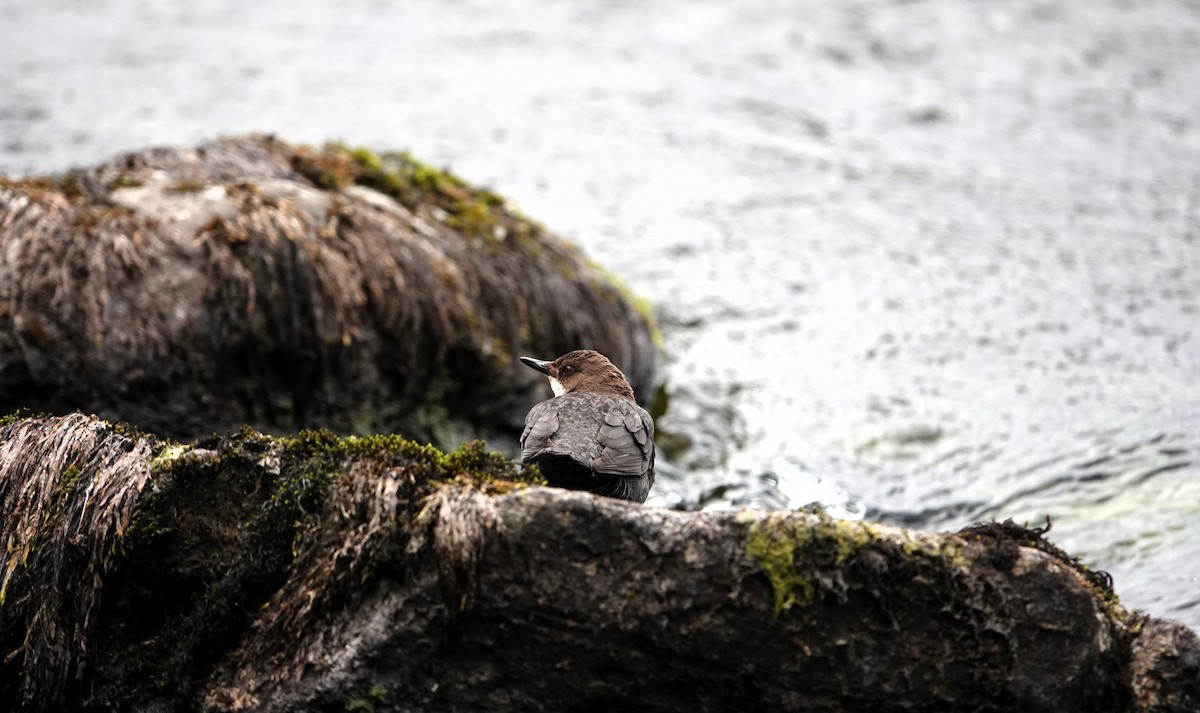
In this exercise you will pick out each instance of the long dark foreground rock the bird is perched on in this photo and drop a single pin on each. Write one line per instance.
(247, 573)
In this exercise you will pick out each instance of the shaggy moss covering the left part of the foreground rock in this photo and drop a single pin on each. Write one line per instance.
(185, 543)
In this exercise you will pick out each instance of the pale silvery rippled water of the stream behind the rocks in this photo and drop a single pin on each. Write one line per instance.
(932, 262)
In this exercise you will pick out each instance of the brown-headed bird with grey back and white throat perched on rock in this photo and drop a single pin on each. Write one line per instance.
(592, 435)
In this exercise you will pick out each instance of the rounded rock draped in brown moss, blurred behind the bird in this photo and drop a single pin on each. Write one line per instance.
(249, 281)
